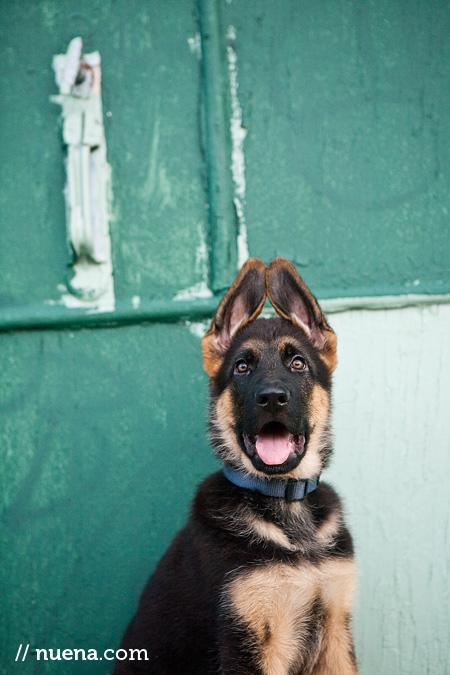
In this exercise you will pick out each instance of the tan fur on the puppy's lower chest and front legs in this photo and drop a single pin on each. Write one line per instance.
(275, 601)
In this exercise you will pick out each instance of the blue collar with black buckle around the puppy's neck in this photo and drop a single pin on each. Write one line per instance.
(288, 489)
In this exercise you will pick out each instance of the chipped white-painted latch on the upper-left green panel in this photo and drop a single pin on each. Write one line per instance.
(87, 192)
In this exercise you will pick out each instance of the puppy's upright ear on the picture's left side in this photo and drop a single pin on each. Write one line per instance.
(243, 302)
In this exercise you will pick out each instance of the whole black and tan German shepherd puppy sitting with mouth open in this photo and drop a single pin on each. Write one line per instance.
(260, 580)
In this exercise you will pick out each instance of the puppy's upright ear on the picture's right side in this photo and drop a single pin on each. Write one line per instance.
(293, 300)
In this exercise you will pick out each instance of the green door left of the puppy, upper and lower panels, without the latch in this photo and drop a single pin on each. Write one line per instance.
(103, 430)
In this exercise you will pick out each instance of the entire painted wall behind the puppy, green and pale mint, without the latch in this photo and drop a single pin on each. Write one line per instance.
(103, 429)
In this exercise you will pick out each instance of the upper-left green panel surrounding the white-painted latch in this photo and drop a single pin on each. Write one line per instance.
(150, 101)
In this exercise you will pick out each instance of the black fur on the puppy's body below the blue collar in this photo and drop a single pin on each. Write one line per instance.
(181, 620)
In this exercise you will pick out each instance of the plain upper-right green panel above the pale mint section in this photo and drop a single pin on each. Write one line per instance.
(348, 152)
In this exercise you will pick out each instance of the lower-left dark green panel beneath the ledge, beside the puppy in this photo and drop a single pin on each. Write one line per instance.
(102, 440)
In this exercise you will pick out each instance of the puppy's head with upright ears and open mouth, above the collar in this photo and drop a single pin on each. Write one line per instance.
(270, 378)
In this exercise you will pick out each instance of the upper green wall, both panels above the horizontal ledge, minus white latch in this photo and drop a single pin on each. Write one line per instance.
(347, 157)
